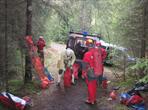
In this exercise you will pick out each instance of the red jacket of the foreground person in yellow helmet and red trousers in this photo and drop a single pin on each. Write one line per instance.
(94, 58)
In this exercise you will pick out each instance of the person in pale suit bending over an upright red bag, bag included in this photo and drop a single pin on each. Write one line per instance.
(65, 65)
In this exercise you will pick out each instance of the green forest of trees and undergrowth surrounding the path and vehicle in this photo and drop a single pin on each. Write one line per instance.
(120, 22)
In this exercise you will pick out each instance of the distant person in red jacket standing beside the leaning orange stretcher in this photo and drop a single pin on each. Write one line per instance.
(40, 45)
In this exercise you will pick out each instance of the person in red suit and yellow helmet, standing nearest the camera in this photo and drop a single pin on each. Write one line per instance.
(92, 71)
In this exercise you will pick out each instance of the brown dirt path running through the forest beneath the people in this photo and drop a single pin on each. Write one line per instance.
(59, 98)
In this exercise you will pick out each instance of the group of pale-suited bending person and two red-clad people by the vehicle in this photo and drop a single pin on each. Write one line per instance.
(92, 68)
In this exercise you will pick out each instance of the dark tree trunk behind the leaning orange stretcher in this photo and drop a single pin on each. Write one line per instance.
(28, 67)
